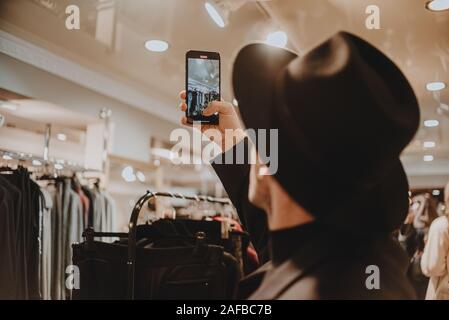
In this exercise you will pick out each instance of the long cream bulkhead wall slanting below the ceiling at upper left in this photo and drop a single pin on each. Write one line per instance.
(132, 128)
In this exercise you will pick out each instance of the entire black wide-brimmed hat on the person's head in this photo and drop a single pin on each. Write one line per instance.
(344, 113)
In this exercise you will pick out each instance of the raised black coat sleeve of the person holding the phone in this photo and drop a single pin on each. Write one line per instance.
(235, 179)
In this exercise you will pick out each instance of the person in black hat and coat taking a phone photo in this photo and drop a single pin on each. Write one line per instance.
(344, 113)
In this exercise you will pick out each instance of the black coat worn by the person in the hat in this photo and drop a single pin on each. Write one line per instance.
(331, 266)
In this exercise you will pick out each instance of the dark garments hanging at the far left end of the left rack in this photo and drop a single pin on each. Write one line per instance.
(21, 232)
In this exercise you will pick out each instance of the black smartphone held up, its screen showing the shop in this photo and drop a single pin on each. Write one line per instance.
(203, 84)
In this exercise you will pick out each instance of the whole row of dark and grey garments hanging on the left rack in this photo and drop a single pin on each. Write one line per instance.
(38, 224)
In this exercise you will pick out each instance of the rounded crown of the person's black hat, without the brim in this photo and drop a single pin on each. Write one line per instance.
(349, 106)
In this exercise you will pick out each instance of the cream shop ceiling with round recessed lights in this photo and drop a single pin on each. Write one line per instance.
(415, 38)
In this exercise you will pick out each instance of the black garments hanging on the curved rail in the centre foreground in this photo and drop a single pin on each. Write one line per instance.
(171, 263)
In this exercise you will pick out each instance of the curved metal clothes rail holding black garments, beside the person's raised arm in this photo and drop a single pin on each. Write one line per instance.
(132, 234)
